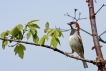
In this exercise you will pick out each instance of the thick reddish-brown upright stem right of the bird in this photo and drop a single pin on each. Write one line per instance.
(101, 67)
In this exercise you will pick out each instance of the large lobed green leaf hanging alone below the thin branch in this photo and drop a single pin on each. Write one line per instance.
(19, 49)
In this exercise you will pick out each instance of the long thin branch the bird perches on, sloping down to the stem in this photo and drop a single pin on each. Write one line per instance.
(46, 46)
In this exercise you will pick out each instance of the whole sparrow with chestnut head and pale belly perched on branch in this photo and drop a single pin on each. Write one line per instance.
(75, 41)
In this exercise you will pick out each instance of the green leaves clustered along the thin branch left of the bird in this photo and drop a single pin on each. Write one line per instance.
(26, 31)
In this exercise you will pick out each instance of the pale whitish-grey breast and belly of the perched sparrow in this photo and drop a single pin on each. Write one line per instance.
(74, 43)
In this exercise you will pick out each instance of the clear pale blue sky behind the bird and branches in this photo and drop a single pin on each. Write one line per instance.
(14, 12)
